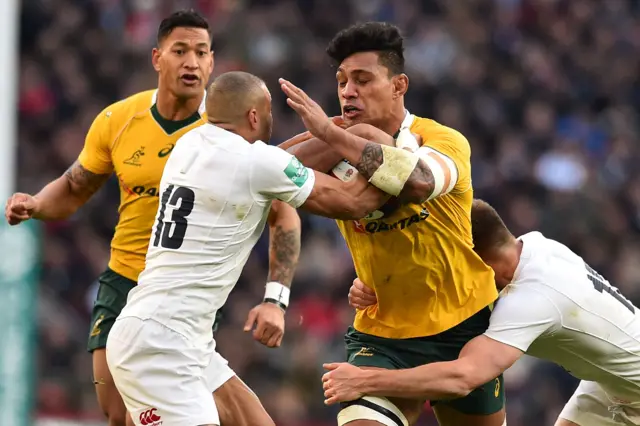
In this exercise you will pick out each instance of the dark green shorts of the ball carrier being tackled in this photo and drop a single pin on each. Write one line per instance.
(365, 350)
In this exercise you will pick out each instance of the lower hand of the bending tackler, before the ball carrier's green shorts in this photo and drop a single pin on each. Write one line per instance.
(341, 383)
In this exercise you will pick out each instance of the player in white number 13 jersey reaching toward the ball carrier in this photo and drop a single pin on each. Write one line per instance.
(216, 192)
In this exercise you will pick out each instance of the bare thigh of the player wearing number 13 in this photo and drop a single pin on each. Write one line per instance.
(239, 406)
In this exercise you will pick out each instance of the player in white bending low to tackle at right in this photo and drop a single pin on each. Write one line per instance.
(553, 306)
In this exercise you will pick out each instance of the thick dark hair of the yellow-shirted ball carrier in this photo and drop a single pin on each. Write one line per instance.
(380, 37)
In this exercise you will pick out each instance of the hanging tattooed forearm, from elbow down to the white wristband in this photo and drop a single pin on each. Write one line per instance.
(284, 244)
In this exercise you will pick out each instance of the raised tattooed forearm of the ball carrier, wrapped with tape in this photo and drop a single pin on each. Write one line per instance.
(368, 156)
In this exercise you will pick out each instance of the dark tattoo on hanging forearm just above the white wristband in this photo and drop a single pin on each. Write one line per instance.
(284, 252)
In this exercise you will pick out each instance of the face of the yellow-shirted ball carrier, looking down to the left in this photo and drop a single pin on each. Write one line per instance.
(366, 91)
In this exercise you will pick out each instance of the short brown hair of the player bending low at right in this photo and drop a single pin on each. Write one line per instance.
(488, 230)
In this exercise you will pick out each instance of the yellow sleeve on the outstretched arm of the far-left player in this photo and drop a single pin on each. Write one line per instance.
(96, 153)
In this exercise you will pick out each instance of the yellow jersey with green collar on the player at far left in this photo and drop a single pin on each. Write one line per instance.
(131, 139)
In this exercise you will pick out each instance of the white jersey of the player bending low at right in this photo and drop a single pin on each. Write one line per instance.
(559, 309)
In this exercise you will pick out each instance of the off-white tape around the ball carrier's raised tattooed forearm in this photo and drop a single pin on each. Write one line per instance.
(397, 166)
